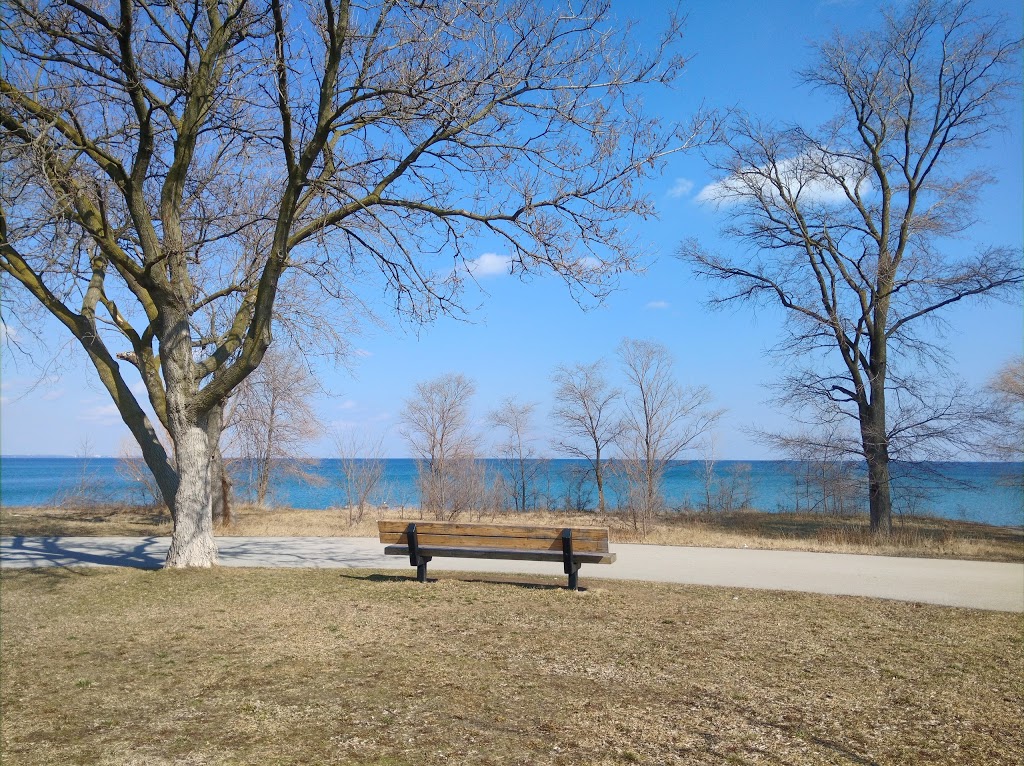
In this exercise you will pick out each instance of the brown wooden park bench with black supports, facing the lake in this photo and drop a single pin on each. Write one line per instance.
(422, 541)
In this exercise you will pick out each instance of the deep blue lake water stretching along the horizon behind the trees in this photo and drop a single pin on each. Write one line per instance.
(979, 492)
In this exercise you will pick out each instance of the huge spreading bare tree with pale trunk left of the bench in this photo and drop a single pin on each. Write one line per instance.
(174, 172)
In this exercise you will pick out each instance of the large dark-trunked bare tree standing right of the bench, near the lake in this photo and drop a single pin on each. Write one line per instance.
(858, 229)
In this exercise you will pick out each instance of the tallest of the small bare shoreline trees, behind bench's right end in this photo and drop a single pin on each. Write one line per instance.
(662, 418)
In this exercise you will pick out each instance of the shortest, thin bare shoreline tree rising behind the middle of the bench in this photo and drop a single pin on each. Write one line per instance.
(518, 451)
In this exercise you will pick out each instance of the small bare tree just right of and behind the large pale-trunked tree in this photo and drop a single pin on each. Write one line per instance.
(272, 420)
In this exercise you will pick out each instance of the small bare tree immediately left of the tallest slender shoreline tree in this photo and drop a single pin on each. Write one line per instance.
(586, 418)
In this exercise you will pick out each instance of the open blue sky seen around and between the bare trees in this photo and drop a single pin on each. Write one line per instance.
(744, 54)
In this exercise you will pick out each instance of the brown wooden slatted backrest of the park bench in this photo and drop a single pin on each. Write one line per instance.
(456, 535)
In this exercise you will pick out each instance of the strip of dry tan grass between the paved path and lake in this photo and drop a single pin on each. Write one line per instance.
(913, 536)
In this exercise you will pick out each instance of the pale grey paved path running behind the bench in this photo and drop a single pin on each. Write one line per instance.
(982, 585)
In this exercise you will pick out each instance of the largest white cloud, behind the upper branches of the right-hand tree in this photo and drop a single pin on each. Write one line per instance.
(804, 177)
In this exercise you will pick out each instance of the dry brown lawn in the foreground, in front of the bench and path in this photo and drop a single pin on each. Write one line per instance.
(120, 667)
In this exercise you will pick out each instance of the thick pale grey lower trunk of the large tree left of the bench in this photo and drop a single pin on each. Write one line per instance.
(192, 540)
